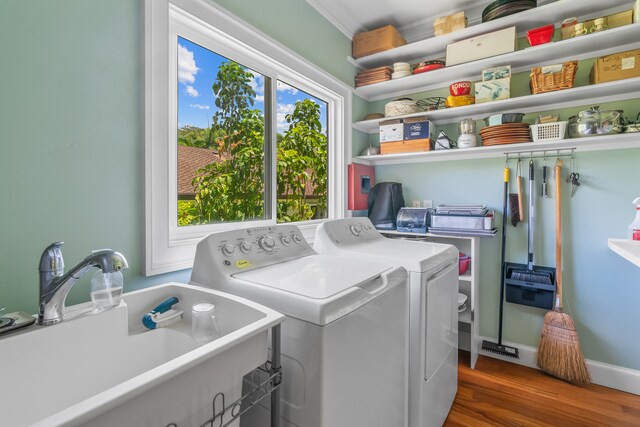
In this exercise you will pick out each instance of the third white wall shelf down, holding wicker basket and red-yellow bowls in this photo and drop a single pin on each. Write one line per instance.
(577, 96)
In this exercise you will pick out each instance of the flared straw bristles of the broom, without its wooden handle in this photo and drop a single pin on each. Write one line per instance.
(559, 351)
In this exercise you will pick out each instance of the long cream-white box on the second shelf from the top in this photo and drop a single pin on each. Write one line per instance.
(482, 46)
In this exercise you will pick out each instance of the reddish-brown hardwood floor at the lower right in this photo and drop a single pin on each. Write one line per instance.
(500, 393)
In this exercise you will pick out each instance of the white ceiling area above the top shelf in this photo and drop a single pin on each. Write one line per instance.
(413, 18)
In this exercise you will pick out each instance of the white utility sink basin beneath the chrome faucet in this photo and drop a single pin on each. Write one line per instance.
(107, 369)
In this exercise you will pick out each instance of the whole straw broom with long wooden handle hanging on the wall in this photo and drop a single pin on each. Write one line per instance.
(559, 351)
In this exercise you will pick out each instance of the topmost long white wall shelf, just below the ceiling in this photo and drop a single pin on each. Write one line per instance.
(551, 13)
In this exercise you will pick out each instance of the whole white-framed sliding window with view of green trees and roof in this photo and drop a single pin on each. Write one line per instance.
(239, 132)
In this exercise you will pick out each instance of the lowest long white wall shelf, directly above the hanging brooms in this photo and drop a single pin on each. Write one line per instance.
(609, 142)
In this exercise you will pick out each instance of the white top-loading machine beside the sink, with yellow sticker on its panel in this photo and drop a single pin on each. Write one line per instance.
(344, 341)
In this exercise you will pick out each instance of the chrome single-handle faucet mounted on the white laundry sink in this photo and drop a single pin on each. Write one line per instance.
(55, 284)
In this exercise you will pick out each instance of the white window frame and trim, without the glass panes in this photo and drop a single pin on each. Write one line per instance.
(167, 246)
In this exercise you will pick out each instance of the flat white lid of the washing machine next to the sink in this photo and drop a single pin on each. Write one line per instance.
(315, 276)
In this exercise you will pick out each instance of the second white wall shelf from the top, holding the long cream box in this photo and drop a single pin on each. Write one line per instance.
(597, 44)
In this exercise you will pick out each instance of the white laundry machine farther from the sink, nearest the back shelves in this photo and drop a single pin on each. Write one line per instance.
(433, 308)
